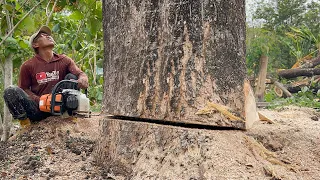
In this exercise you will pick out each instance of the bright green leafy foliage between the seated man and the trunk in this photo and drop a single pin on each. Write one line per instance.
(78, 31)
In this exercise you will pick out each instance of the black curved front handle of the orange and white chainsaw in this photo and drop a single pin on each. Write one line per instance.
(57, 90)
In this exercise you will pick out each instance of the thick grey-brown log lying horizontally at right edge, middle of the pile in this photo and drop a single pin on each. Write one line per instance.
(292, 73)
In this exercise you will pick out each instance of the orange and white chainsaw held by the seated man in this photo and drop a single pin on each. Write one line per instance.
(66, 97)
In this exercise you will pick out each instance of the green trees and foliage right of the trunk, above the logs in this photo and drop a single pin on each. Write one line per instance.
(292, 27)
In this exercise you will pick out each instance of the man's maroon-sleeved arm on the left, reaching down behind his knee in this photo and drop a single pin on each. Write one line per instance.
(25, 83)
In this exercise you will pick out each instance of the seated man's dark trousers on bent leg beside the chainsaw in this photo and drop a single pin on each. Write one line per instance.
(21, 106)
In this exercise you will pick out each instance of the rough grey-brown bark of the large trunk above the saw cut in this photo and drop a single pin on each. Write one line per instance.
(166, 60)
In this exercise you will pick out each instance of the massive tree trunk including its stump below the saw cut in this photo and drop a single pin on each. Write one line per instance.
(167, 60)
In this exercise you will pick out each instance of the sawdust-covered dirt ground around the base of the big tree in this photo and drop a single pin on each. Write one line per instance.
(288, 148)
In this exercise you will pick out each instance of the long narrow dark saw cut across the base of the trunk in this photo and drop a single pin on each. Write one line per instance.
(182, 124)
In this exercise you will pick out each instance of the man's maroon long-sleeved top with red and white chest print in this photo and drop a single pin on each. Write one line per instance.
(38, 77)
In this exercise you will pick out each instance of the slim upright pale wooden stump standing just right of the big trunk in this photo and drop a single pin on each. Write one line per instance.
(261, 84)
